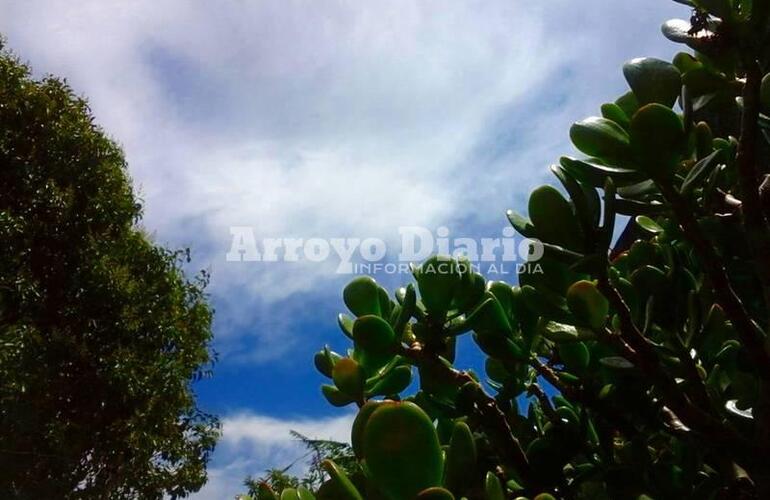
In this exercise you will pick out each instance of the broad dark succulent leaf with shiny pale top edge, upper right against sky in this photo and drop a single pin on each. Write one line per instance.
(653, 81)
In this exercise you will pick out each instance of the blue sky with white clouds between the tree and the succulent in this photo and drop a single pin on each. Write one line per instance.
(325, 119)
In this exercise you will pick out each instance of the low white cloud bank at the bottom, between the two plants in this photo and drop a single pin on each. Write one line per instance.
(252, 443)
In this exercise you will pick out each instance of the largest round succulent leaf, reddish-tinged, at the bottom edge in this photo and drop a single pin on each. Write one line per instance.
(402, 450)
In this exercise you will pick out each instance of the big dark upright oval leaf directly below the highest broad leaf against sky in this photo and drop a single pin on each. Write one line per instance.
(658, 140)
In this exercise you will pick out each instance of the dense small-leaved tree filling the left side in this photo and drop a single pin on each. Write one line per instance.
(102, 335)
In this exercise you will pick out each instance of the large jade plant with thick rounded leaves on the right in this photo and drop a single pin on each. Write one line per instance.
(640, 361)
